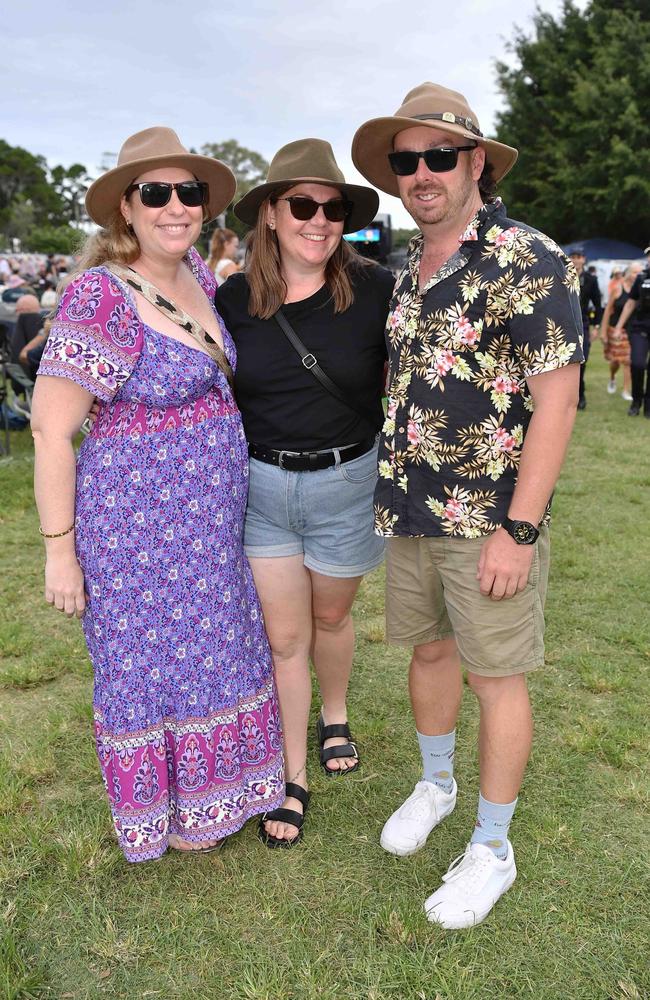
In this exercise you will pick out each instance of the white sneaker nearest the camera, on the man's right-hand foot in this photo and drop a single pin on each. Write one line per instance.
(471, 887)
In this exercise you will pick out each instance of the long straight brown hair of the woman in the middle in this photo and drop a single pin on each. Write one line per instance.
(268, 288)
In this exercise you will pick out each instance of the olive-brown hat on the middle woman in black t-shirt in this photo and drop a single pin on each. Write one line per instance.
(310, 161)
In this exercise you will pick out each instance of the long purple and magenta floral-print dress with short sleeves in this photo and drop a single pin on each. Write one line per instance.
(186, 716)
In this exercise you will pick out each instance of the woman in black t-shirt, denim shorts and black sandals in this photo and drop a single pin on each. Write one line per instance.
(309, 525)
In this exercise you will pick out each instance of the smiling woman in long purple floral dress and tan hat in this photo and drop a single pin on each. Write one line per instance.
(144, 538)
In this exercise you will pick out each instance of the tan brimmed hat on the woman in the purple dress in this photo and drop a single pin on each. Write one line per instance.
(147, 150)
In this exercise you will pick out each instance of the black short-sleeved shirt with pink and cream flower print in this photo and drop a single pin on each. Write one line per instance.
(504, 307)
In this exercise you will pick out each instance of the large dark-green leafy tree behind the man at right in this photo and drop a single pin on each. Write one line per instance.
(577, 95)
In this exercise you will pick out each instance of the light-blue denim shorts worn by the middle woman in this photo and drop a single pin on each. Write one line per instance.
(327, 516)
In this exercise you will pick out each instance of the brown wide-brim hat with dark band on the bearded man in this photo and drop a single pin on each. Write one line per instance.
(433, 106)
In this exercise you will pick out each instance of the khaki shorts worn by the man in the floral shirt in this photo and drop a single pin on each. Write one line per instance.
(432, 593)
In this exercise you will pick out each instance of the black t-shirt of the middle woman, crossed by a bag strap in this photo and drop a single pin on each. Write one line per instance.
(282, 404)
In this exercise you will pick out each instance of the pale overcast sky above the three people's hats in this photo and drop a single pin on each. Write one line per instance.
(79, 77)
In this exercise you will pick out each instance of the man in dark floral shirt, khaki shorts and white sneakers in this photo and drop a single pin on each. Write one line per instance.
(484, 340)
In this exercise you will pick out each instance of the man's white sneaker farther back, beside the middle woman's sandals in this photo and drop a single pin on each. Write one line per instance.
(406, 831)
